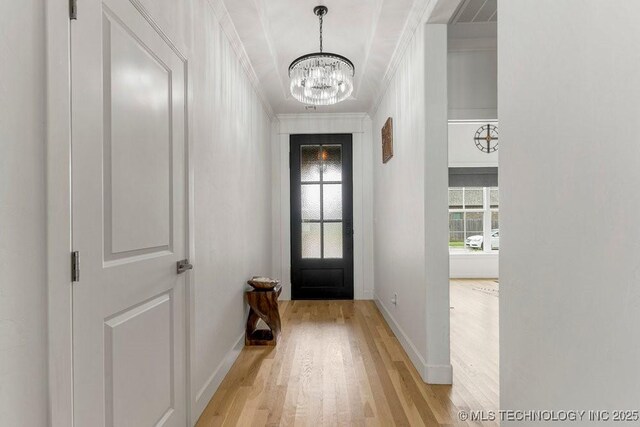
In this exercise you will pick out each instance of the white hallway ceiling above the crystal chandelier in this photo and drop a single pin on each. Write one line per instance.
(269, 34)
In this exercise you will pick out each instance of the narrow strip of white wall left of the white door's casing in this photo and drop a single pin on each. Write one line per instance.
(23, 309)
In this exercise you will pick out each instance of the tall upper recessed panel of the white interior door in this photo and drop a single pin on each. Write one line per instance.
(137, 85)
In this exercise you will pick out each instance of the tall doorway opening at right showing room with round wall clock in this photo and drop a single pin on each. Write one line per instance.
(474, 202)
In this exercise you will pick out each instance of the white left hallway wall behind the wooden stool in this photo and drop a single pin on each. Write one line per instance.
(232, 168)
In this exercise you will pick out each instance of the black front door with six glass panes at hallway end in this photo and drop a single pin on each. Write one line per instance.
(321, 217)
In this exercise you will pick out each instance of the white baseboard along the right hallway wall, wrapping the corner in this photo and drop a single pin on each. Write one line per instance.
(431, 374)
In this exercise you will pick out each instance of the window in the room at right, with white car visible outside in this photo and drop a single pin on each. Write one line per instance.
(473, 219)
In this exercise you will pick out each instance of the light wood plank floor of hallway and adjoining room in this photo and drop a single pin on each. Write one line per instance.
(338, 363)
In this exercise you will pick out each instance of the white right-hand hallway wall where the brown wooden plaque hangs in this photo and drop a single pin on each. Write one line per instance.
(410, 205)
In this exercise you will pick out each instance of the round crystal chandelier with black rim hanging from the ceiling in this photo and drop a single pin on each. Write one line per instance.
(321, 78)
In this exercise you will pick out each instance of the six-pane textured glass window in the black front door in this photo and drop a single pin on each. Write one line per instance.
(328, 163)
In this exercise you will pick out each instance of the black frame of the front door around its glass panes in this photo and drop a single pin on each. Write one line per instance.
(297, 263)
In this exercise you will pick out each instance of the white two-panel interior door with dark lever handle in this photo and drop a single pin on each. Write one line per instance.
(129, 219)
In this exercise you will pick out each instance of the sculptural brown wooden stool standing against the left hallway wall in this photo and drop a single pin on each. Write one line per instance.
(263, 305)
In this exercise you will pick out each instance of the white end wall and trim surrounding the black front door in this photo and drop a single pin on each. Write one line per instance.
(359, 125)
